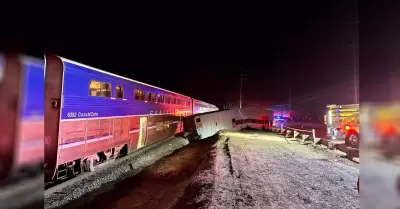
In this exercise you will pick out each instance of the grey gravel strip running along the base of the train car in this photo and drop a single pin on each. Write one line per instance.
(103, 180)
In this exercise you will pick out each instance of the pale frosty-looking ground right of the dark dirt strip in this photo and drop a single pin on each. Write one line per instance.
(264, 171)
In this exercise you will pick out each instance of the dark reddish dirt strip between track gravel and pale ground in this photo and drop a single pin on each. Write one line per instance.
(165, 184)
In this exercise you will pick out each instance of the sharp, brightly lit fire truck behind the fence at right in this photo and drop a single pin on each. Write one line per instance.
(343, 122)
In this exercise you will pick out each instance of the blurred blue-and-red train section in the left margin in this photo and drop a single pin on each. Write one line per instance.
(22, 116)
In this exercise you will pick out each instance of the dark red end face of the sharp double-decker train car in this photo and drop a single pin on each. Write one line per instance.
(54, 72)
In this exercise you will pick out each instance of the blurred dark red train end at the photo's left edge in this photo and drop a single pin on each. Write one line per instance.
(10, 82)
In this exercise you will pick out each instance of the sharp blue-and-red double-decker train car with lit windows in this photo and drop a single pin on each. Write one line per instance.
(93, 116)
